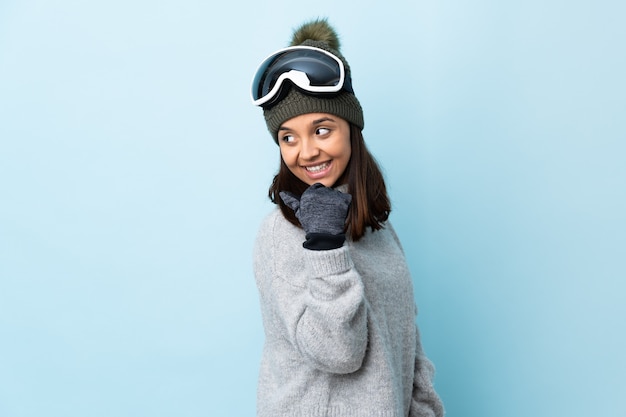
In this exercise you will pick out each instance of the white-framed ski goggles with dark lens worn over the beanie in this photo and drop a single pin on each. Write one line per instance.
(314, 70)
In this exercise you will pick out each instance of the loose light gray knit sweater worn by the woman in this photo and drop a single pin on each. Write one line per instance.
(340, 332)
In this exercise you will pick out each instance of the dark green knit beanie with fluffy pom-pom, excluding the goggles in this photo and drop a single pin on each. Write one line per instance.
(317, 33)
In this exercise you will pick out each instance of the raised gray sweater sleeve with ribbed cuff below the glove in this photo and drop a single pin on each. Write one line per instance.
(315, 299)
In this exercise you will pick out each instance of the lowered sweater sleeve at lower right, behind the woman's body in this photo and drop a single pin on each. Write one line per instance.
(425, 402)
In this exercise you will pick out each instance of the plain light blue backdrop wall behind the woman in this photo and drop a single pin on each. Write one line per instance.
(134, 170)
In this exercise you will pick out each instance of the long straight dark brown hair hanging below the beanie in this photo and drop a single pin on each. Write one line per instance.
(370, 203)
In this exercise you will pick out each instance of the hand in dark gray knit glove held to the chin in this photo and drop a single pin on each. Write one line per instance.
(322, 212)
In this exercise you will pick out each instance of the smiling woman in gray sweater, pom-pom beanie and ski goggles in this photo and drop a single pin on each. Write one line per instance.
(335, 290)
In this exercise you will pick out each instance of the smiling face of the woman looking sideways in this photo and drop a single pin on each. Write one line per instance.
(316, 147)
